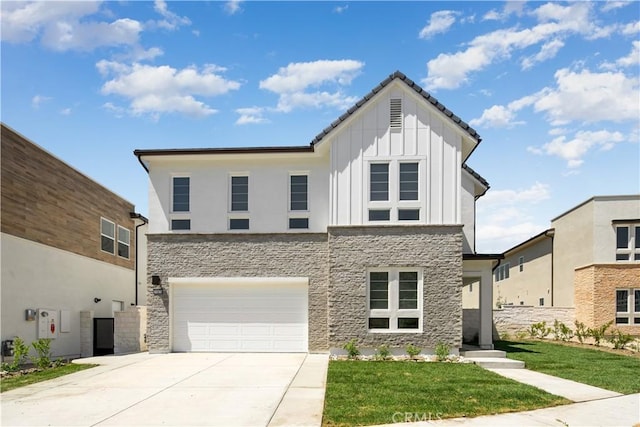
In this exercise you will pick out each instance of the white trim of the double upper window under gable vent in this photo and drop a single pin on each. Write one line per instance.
(394, 203)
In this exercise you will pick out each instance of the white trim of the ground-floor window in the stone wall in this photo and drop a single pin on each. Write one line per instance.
(393, 312)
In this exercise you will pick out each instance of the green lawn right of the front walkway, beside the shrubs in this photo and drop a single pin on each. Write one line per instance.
(594, 367)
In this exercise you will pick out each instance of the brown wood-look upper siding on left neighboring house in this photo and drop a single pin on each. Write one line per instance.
(46, 201)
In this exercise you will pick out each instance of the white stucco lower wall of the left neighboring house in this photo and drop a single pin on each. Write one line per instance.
(39, 276)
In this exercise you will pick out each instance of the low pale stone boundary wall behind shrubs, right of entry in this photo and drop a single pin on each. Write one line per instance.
(514, 319)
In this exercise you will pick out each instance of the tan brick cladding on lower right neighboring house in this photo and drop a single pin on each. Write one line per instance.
(595, 293)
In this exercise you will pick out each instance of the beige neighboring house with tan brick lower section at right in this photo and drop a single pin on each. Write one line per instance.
(589, 259)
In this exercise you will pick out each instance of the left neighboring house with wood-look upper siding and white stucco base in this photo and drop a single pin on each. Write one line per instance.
(68, 246)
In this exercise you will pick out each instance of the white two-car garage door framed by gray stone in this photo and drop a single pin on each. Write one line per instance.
(239, 315)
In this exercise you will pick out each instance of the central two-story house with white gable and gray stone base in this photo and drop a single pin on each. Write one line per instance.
(365, 234)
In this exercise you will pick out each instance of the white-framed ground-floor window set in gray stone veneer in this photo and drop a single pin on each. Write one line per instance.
(394, 300)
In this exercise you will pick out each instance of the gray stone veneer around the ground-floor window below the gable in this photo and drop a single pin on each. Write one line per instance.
(437, 250)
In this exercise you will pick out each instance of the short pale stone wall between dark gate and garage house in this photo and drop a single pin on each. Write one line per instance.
(130, 327)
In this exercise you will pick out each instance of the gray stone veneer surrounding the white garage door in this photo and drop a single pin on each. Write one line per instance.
(237, 255)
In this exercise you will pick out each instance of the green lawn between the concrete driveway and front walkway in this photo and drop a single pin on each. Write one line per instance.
(365, 393)
